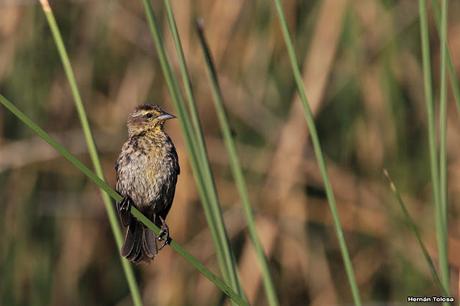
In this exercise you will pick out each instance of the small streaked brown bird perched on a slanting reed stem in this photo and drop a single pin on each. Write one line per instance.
(146, 171)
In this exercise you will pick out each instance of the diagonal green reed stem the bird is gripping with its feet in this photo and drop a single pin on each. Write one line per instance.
(114, 195)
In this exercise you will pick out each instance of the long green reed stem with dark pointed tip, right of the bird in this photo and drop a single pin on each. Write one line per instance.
(236, 169)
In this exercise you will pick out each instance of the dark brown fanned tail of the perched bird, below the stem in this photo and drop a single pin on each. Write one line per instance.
(140, 243)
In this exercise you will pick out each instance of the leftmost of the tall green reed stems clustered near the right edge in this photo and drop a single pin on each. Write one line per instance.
(441, 234)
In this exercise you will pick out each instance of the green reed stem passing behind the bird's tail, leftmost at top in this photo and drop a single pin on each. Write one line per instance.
(134, 289)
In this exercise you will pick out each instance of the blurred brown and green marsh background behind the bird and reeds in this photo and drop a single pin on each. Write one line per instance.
(361, 64)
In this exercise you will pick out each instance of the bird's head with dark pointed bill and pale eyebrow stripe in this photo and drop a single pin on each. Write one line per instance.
(147, 117)
